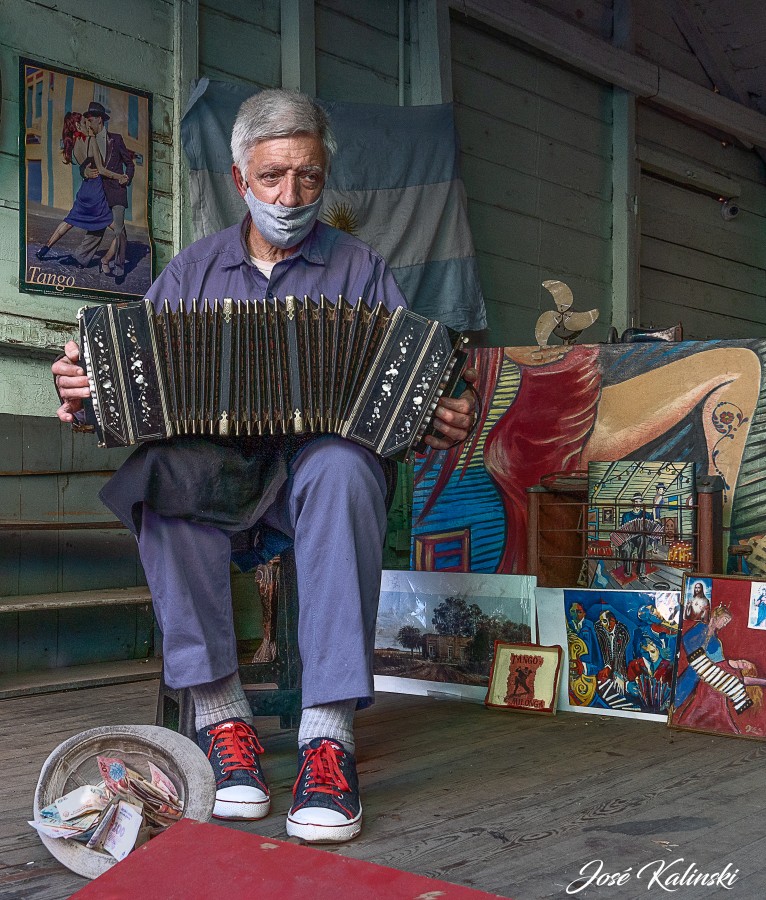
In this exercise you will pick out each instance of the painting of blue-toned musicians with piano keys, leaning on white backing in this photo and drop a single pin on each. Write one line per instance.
(621, 645)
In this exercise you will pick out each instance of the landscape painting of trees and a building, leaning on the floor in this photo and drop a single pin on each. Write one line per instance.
(436, 632)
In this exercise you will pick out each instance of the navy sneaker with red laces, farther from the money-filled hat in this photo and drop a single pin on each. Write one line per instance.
(326, 804)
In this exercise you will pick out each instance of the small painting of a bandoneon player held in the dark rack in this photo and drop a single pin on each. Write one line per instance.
(641, 524)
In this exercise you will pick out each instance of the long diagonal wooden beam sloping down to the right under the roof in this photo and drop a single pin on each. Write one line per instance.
(587, 53)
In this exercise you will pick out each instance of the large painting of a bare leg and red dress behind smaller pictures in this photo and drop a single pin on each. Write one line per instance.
(556, 409)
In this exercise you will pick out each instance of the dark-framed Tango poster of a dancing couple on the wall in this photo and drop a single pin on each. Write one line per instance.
(84, 186)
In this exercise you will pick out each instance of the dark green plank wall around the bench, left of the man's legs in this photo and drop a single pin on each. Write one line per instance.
(63, 474)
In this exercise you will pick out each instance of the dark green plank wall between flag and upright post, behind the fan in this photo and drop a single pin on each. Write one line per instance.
(536, 149)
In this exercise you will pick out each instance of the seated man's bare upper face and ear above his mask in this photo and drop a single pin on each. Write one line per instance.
(288, 171)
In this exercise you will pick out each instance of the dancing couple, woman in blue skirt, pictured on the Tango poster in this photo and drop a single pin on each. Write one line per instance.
(106, 166)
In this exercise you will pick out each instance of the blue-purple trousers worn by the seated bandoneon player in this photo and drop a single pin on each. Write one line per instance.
(333, 507)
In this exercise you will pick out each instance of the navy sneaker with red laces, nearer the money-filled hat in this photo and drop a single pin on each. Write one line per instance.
(233, 749)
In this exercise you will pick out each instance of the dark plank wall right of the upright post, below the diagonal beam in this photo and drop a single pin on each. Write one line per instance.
(696, 268)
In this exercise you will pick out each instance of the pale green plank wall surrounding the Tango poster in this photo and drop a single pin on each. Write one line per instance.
(103, 41)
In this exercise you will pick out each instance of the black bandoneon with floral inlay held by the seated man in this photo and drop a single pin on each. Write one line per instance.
(266, 367)
